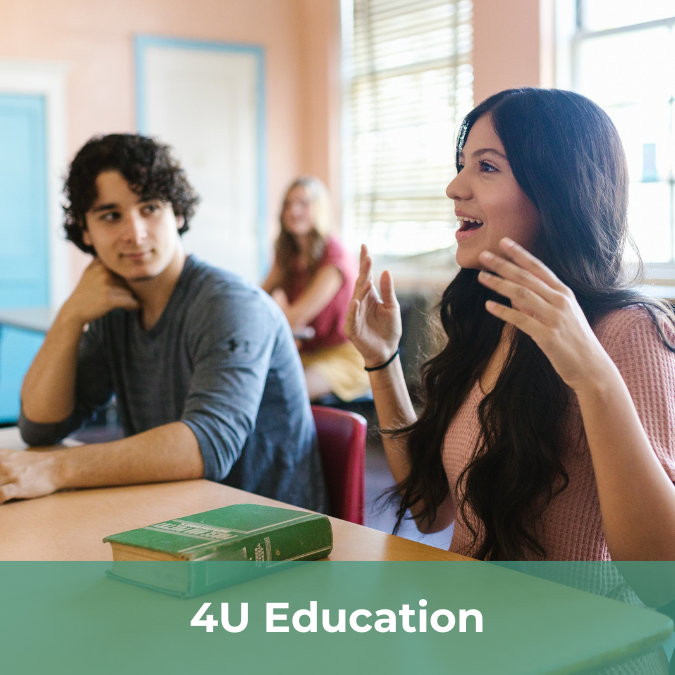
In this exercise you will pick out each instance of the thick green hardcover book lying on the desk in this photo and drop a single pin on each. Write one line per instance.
(187, 556)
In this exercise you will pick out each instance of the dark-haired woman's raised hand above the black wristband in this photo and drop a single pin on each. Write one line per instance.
(373, 324)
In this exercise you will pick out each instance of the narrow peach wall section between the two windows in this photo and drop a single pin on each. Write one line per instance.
(506, 52)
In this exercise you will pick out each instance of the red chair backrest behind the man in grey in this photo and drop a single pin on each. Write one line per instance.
(342, 444)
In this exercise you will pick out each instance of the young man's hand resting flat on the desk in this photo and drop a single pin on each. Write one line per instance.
(27, 474)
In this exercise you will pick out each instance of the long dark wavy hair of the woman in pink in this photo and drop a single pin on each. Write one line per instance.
(567, 157)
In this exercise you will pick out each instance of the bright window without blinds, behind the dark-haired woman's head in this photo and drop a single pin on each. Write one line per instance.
(624, 59)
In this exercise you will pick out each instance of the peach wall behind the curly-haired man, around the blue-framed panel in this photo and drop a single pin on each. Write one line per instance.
(300, 37)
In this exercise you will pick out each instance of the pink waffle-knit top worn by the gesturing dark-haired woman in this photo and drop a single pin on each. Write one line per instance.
(571, 526)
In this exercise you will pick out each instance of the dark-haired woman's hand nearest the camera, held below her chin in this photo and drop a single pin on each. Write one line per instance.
(545, 309)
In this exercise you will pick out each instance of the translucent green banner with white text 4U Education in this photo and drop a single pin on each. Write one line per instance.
(333, 617)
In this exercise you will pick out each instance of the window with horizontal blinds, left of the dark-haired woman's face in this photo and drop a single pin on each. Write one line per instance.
(408, 83)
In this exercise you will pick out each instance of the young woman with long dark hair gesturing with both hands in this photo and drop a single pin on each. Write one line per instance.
(548, 426)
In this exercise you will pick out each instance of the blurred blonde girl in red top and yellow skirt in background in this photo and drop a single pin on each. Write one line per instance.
(312, 280)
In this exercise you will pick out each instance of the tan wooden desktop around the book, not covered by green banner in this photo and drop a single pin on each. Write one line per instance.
(71, 525)
